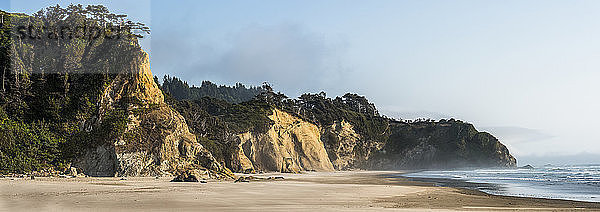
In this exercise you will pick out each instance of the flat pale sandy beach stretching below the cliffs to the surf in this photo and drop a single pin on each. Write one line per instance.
(313, 191)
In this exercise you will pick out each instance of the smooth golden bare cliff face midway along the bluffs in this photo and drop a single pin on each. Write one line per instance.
(290, 145)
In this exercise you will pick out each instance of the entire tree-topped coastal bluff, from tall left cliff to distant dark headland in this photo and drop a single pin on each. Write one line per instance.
(93, 105)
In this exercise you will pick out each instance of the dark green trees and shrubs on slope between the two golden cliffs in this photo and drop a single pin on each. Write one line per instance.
(213, 113)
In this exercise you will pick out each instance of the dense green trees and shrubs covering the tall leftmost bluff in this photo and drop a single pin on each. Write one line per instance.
(52, 84)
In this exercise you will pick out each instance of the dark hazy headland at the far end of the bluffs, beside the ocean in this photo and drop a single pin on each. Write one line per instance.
(447, 144)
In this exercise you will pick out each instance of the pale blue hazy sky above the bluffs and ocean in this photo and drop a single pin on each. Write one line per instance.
(527, 71)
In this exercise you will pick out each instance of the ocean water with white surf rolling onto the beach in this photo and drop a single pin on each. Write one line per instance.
(576, 182)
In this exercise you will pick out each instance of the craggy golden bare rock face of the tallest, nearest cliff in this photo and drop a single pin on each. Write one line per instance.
(156, 140)
